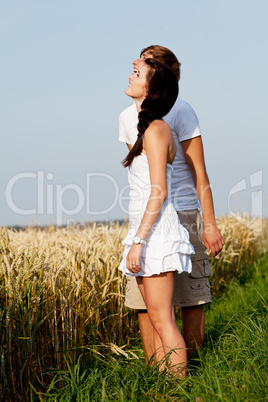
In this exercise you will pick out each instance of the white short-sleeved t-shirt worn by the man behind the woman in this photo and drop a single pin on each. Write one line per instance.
(184, 125)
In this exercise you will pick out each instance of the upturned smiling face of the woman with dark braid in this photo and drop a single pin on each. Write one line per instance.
(138, 85)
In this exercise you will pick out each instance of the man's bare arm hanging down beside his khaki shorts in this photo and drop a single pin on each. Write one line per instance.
(194, 154)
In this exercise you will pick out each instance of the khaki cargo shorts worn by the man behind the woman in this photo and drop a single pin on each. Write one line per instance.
(189, 289)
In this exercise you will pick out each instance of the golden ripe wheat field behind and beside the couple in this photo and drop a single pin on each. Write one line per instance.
(61, 293)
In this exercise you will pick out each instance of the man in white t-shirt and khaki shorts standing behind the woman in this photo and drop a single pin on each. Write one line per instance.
(190, 189)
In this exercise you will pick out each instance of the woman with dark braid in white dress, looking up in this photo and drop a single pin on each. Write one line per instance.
(156, 244)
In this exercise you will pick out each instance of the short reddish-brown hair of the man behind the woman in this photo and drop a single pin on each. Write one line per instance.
(164, 56)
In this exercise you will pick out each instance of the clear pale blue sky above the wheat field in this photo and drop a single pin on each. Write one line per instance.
(64, 68)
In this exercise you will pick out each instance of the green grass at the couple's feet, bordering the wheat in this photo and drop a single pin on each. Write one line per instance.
(232, 365)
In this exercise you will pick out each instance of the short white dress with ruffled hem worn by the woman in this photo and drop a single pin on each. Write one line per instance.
(167, 245)
